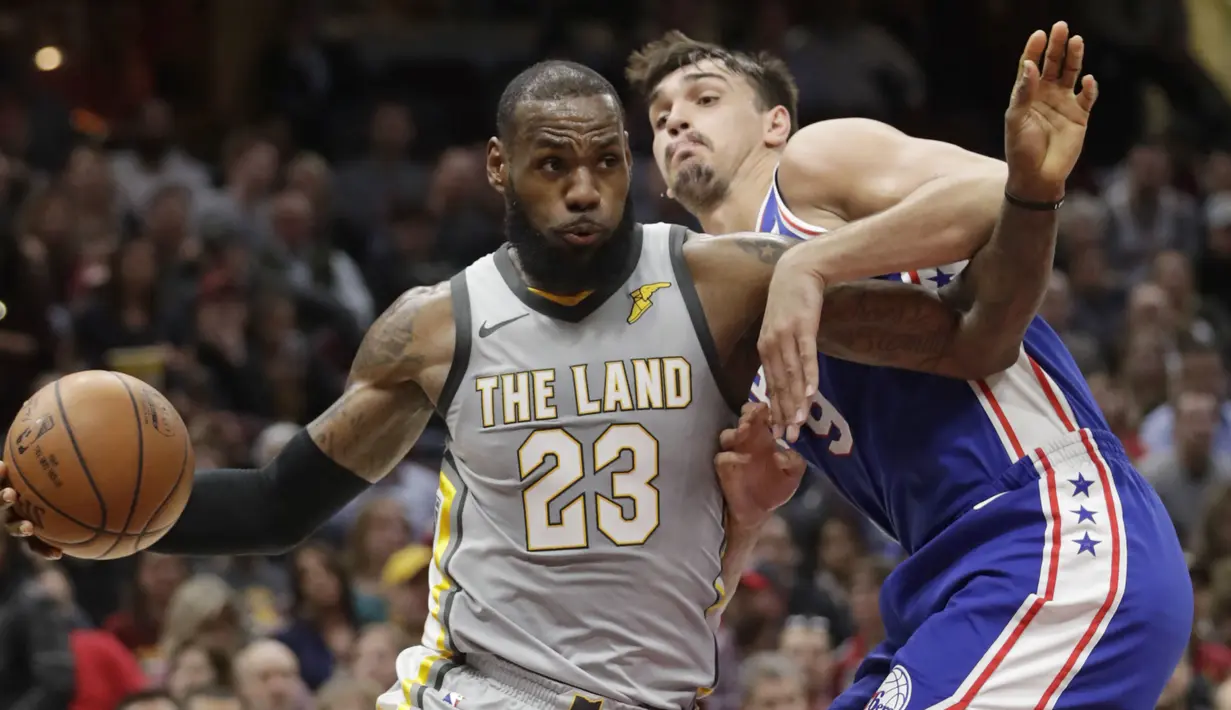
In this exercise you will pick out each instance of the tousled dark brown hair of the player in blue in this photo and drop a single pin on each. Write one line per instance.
(768, 74)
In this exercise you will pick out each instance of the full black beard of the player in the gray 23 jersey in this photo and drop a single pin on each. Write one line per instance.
(561, 269)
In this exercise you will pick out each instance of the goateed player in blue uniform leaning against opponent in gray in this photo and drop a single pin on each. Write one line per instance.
(1043, 570)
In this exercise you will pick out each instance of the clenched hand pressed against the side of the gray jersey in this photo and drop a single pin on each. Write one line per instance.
(755, 474)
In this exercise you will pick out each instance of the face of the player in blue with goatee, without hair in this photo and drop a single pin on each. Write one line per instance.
(706, 122)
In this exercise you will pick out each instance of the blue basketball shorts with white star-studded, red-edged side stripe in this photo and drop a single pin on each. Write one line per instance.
(1068, 590)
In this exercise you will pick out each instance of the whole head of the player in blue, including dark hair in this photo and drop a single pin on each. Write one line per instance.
(711, 110)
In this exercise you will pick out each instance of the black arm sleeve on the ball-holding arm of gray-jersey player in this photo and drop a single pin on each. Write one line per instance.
(263, 511)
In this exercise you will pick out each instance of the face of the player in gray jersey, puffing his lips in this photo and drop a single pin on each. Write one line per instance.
(568, 170)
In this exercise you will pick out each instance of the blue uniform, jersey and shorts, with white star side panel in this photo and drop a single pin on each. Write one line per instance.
(1043, 569)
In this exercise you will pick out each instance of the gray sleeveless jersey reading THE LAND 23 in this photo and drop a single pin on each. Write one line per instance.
(579, 520)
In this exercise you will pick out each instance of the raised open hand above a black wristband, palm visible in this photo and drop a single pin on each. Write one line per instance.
(1046, 122)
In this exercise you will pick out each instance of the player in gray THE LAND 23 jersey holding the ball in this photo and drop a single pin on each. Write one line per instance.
(585, 372)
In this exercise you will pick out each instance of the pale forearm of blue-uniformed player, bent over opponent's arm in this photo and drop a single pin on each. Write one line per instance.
(945, 221)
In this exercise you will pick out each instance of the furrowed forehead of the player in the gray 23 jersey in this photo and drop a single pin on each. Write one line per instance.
(577, 121)
